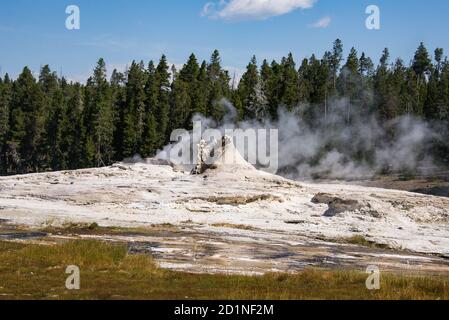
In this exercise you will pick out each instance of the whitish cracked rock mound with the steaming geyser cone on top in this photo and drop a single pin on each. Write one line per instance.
(154, 193)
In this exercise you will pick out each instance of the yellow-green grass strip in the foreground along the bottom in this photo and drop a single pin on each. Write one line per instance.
(30, 271)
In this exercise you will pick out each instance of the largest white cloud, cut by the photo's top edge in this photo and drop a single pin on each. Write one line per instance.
(253, 9)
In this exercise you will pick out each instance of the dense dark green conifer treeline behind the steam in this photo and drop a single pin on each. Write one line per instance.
(50, 124)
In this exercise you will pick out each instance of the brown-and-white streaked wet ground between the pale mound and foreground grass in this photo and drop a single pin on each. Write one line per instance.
(225, 250)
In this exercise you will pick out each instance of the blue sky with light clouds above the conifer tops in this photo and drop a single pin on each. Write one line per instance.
(33, 33)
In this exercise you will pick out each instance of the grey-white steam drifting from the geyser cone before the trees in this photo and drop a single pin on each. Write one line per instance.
(330, 147)
